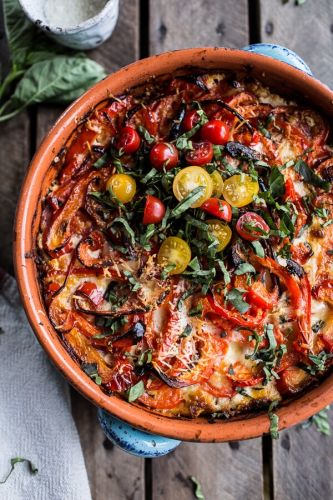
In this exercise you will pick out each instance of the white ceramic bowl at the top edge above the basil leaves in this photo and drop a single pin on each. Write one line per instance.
(83, 36)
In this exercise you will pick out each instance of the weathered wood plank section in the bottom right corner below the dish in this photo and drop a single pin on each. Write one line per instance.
(302, 465)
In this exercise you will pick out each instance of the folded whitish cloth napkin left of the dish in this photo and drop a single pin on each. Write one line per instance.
(35, 414)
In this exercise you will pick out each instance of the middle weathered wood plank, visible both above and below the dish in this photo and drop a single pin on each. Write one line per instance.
(228, 471)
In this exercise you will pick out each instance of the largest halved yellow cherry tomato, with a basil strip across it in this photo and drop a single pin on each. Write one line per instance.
(190, 178)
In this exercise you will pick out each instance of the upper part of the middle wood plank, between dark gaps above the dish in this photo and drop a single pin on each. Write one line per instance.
(177, 25)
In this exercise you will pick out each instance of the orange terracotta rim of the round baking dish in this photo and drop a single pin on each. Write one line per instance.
(37, 180)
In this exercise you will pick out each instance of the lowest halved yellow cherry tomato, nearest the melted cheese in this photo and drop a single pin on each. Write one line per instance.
(175, 251)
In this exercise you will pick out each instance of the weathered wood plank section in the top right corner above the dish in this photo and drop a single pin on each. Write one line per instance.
(306, 29)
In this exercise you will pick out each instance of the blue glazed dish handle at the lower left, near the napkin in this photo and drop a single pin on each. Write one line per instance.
(133, 441)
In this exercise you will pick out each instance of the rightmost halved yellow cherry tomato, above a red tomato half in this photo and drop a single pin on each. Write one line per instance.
(239, 190)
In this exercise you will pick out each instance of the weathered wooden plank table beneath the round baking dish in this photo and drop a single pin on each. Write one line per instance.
(297, 466)
